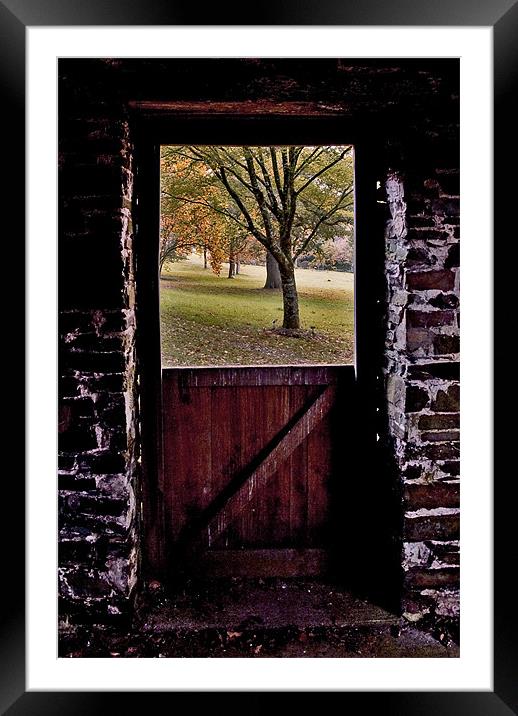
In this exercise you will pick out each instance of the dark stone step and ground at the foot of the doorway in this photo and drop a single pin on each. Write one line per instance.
(239, 618)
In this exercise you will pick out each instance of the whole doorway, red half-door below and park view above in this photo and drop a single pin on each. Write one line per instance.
(257, 455)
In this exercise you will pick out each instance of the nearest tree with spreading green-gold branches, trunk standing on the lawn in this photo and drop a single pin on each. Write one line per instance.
(288, 198)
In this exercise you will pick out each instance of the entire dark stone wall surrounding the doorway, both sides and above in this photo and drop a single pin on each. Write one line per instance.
(413, 106)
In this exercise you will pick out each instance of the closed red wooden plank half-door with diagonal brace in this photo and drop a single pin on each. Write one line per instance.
(248, 463)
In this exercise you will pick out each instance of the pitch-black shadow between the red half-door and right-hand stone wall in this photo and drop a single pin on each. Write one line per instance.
(365, 520)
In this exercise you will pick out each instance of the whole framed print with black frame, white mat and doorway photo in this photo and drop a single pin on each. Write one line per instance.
(142, 418)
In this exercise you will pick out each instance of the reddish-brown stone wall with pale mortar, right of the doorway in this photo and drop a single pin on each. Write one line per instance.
(422, 357)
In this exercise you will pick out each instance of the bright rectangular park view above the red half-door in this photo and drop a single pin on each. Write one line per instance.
(256, 255)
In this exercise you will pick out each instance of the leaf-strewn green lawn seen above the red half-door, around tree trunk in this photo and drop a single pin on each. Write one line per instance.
(212, 320)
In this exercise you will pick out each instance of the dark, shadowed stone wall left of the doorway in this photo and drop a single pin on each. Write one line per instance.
(98, 445)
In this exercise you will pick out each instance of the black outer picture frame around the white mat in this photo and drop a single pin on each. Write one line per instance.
(502, 15)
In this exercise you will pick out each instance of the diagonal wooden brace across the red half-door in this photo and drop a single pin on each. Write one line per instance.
(237, 495)
